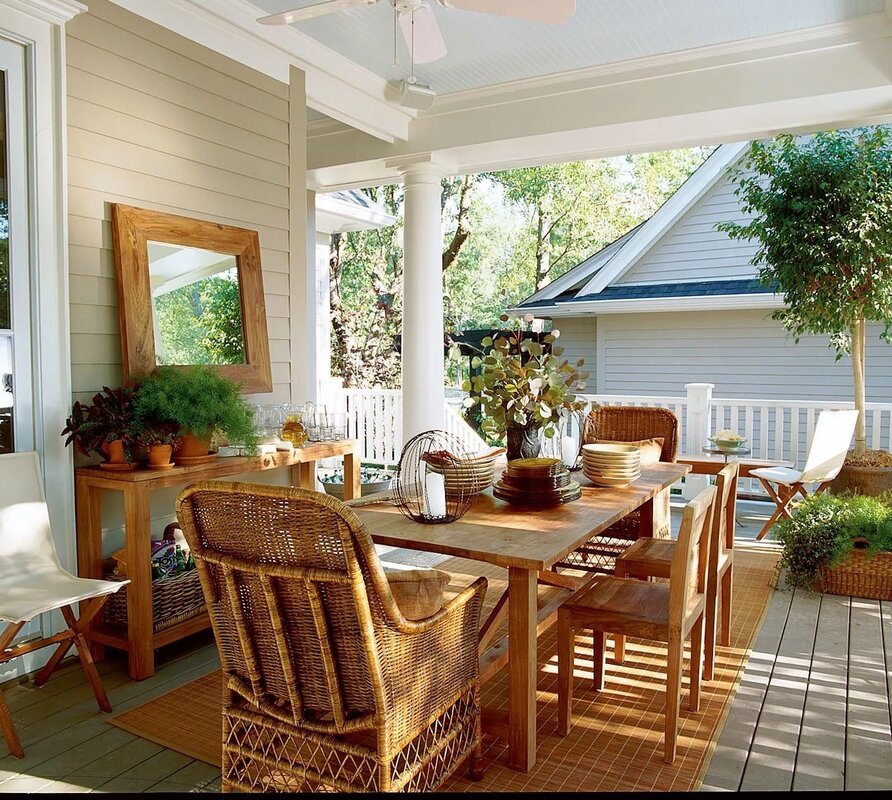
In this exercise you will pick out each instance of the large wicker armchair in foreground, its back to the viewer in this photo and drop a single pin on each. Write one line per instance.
(327, 687)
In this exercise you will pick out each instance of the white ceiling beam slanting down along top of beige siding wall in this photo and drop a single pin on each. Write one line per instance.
(336, 86)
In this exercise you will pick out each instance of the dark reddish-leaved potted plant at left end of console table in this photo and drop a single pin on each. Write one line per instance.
(107, 426)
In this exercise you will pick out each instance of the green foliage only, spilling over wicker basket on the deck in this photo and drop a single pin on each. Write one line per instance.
(825, 528)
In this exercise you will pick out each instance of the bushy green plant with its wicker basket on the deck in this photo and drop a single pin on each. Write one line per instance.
(840, 544)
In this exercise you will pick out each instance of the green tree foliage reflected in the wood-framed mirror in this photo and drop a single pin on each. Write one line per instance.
(202, 323)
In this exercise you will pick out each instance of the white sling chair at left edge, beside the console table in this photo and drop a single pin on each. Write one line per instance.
(32, 581)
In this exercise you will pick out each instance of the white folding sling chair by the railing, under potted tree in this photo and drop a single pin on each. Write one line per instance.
(833, 435)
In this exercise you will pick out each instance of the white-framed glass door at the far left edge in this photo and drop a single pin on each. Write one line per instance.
(16, 422)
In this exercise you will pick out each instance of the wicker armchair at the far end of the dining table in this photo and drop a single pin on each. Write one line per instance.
(626, 424)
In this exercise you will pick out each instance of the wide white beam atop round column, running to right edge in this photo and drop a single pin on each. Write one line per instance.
(732, 96)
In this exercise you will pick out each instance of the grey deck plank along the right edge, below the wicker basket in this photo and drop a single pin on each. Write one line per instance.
(868, 736)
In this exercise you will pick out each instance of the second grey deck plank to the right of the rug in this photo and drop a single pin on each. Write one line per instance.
(773, 752)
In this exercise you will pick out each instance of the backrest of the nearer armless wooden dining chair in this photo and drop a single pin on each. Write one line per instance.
(687, 575)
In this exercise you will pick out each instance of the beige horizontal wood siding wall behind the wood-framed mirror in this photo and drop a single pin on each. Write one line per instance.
(158, 121)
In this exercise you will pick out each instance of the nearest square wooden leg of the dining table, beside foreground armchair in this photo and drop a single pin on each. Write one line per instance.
(522, 669)
